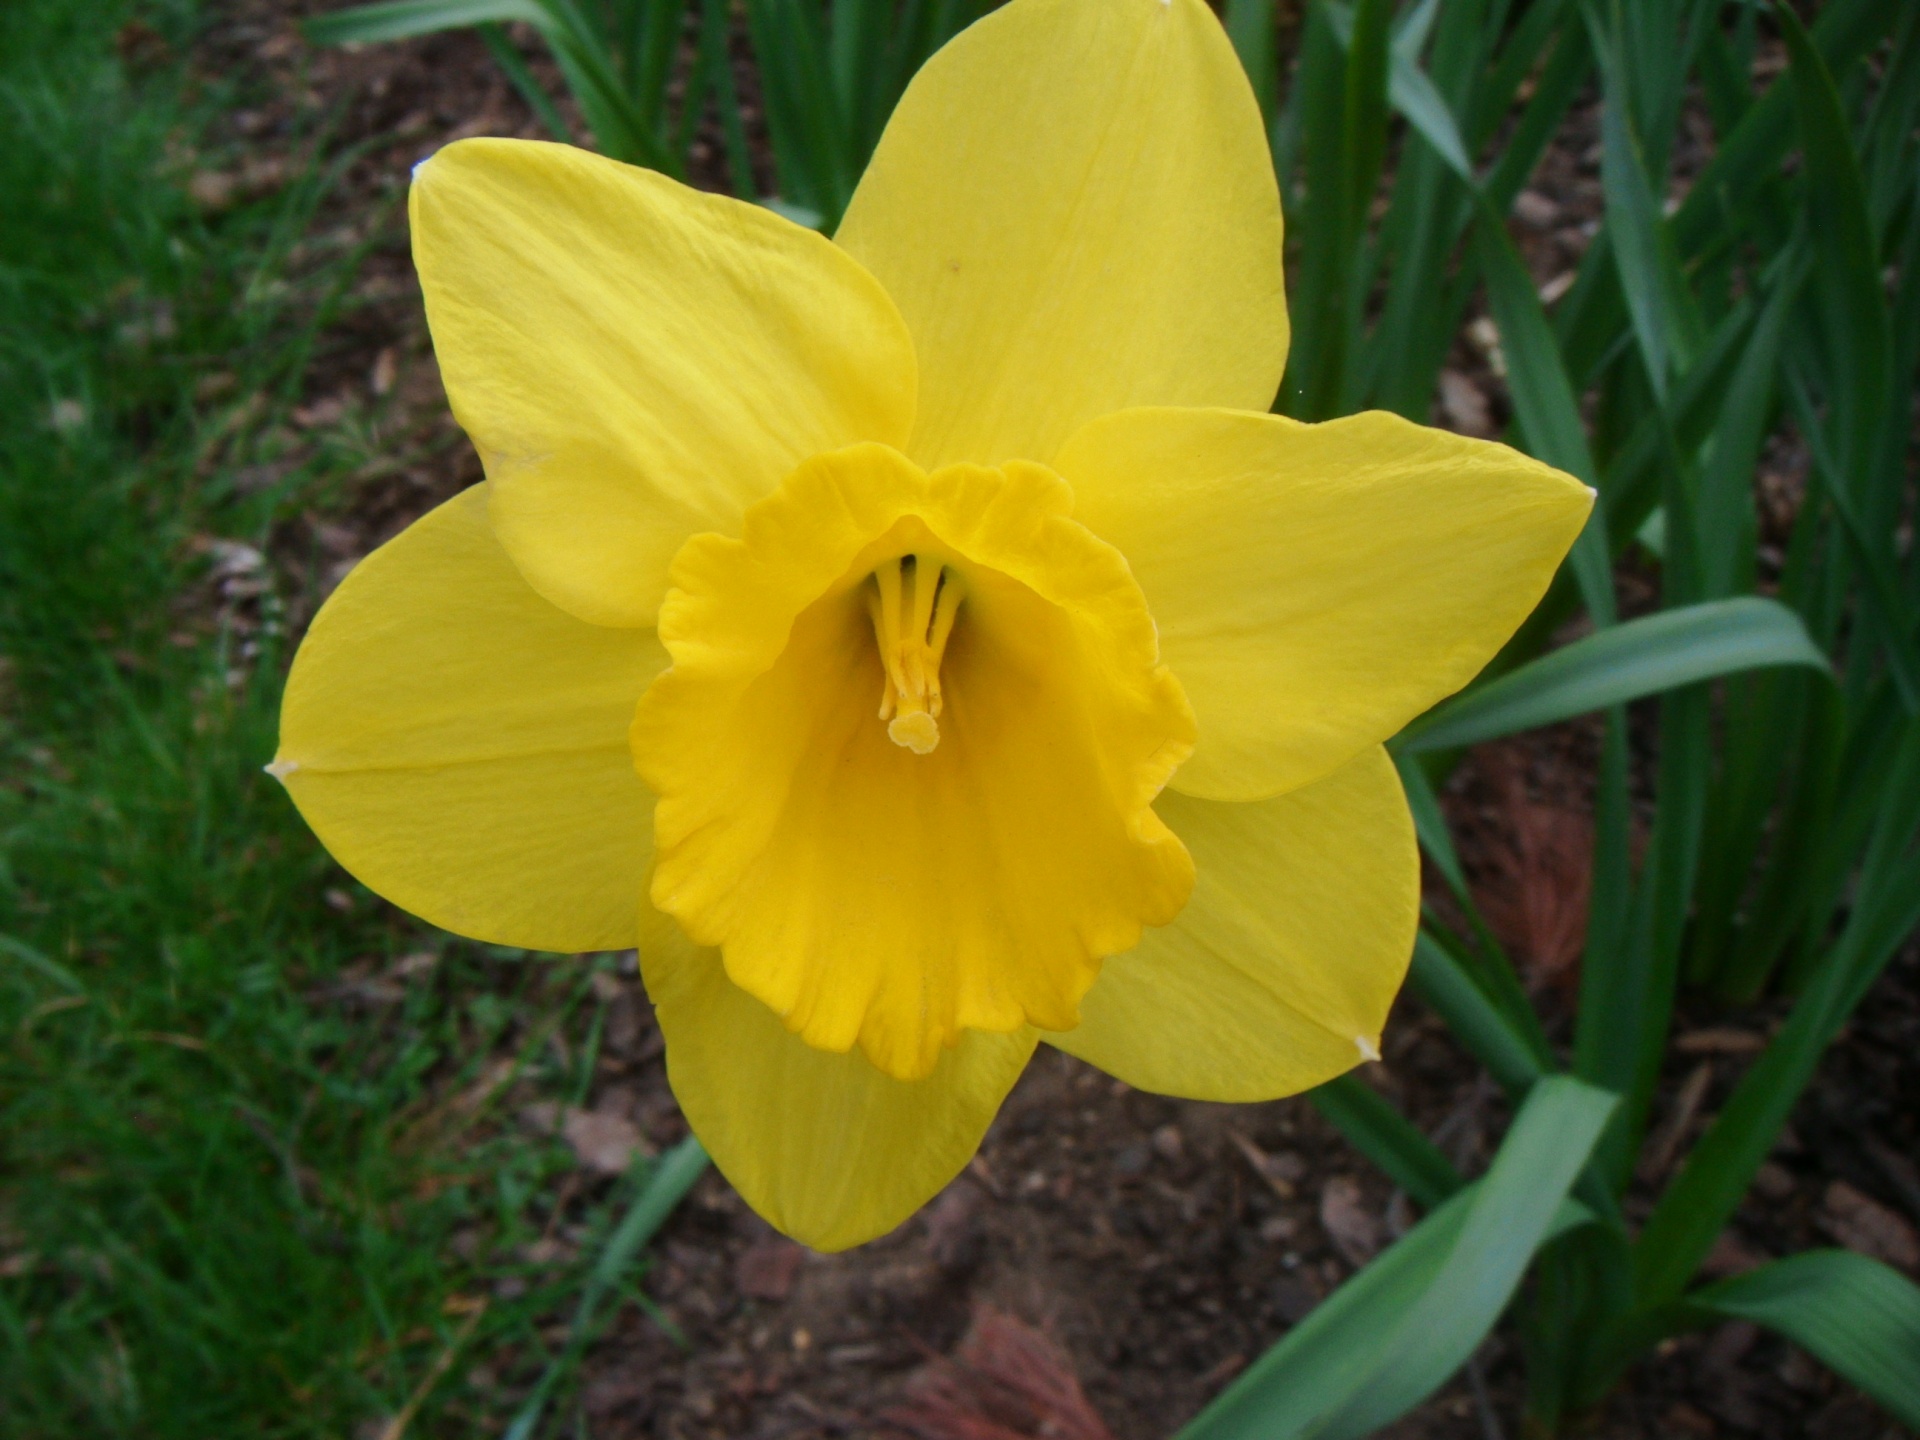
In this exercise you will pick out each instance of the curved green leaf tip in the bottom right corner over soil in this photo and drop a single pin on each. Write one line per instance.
(1856, 1314)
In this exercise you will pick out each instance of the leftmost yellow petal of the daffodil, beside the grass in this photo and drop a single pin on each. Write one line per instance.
(460, 744)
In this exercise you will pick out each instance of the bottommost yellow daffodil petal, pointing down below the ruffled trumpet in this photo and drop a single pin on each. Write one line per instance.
(823, 1145)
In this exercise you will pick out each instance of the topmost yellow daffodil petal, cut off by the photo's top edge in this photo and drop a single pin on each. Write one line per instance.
(1076, 212)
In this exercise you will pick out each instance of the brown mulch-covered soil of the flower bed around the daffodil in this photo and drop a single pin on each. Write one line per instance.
(1161, 1245)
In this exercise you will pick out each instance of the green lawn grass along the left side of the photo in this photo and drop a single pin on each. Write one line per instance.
(229, 1197)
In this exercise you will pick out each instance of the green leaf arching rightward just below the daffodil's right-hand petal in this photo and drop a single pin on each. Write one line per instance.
(1625, 663)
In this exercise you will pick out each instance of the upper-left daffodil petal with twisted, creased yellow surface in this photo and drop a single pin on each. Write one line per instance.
(638, 362)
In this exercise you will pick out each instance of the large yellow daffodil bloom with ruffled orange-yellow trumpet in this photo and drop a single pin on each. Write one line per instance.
(919, 644)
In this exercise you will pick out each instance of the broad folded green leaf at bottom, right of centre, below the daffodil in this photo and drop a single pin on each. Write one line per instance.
(1397, 1332)
